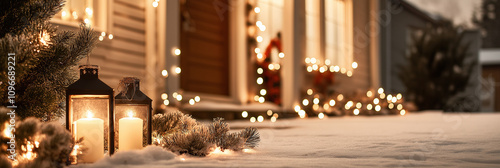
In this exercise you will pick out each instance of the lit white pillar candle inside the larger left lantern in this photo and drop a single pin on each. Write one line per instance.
(92, 131)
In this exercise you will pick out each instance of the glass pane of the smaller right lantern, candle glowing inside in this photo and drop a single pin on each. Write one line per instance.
(131, 126)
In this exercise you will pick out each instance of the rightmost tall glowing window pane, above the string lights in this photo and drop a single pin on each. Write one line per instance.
(339, 33)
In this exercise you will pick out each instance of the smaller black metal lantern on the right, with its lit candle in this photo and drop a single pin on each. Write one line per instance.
(132, 116)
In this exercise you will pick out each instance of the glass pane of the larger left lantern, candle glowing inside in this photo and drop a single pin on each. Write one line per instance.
(89, 117)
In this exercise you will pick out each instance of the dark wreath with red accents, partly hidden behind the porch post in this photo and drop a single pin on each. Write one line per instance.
(271, 76)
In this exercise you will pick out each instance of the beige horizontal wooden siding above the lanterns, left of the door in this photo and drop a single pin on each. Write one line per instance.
(124, 55)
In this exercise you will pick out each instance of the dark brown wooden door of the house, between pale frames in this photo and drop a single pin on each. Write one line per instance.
(204, 45)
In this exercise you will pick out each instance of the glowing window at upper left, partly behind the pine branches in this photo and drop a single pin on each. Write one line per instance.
(91, 12)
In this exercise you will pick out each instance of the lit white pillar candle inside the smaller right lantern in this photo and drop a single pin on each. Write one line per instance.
(130, 135)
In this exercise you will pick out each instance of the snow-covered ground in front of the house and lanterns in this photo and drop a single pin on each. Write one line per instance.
(429, 139)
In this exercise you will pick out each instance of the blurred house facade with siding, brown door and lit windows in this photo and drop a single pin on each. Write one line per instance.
(210, 48)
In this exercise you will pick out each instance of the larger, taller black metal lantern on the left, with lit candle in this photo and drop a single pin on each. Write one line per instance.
(89, 115)
